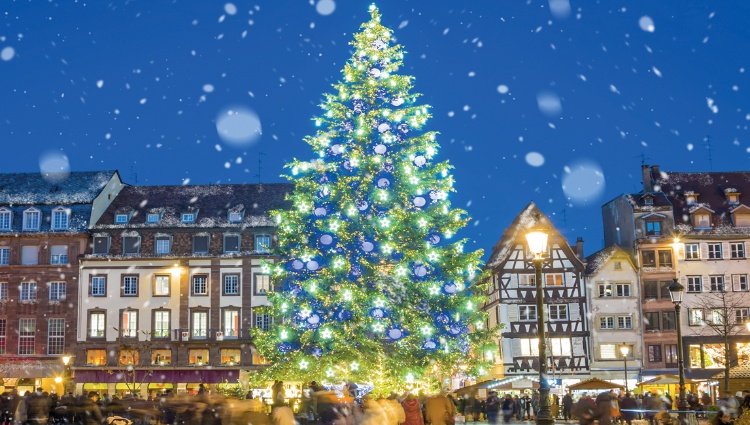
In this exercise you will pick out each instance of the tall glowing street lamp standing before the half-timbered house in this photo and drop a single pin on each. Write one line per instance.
(537, 241)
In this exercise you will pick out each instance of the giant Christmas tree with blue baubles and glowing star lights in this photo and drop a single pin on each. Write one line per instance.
(372, 284)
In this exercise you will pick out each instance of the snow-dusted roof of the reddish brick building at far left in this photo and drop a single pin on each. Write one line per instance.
(80, 187)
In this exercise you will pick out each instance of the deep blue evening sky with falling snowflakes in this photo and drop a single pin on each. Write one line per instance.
(555, 101)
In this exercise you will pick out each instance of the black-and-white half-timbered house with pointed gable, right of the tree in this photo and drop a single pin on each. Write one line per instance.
(513, 302)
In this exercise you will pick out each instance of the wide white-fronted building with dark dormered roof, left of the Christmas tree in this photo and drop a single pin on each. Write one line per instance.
(171, 285)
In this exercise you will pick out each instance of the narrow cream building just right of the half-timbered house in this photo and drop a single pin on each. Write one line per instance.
(614, 304)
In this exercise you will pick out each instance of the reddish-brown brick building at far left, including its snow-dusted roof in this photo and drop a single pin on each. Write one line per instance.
(44, 220)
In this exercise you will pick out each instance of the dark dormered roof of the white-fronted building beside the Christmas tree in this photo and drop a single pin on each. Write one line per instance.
(211, 203)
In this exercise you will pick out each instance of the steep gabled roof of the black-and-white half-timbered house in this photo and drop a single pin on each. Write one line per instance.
(530, 218)
